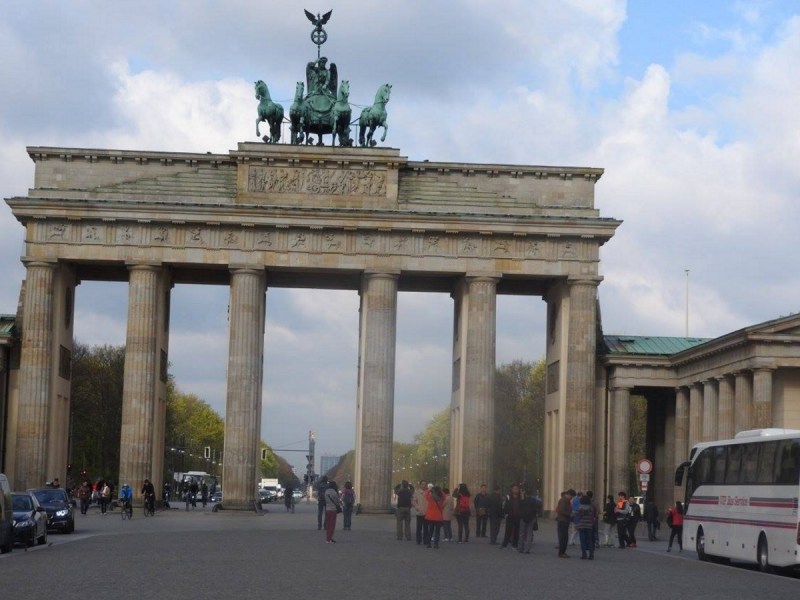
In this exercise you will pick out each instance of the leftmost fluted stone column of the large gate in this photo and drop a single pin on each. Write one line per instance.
(35, 377)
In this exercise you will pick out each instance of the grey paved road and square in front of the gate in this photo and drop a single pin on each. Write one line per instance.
(197, 555)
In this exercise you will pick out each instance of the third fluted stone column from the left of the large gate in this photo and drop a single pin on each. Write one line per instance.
(245, 376)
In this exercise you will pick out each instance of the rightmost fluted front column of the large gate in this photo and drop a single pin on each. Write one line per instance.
(580, 384)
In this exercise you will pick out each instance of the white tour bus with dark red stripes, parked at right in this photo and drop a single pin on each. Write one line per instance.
(741, 498)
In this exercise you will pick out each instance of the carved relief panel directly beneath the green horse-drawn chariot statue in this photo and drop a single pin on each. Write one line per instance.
(335, 182)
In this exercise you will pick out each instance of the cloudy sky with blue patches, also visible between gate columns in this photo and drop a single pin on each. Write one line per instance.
(690, 107)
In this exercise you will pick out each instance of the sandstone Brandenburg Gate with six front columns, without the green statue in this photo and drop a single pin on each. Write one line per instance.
(267, 215)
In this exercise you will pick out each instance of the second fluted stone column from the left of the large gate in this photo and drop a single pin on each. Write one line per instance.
(141, 375)
